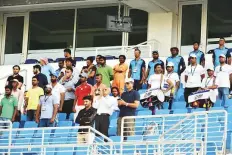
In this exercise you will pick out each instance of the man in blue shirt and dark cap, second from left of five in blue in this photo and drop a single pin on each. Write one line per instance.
(151, 64)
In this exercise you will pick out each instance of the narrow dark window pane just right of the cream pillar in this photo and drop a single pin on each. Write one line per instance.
(191, 24)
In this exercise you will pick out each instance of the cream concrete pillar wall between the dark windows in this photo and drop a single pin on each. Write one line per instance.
(163, 27)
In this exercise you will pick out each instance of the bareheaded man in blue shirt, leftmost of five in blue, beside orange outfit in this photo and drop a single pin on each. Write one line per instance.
(137, 70)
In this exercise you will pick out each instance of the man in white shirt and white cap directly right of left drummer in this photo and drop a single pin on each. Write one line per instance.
(174, 78)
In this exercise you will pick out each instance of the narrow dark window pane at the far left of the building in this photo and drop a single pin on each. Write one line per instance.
(14, 35)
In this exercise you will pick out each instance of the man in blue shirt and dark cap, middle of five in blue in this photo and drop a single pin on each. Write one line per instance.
(177, 60)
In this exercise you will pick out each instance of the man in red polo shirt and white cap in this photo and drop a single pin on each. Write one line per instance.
(84, 89)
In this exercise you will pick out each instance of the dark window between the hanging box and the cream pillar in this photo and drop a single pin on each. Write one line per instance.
(139, 31)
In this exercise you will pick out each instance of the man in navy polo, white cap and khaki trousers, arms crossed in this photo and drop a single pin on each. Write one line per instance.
(128, 104)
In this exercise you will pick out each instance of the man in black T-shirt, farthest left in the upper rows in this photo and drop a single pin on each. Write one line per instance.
(16, 70)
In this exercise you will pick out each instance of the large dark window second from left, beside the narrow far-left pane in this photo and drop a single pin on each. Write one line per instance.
(51, 29)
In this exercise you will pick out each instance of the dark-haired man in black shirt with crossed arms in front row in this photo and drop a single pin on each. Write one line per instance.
(86, 117)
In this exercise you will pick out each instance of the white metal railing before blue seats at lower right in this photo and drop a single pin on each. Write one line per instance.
(209, 127)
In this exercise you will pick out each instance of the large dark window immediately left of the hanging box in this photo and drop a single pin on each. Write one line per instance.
(91, 28)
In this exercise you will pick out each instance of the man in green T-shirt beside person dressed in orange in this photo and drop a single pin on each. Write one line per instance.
(106, 72)
